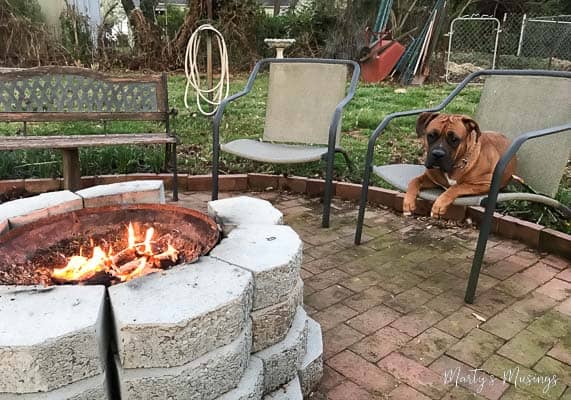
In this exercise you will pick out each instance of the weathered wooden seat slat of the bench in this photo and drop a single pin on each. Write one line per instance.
(74, 141)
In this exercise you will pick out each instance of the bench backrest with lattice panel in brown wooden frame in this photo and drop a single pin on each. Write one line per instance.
(46, 94)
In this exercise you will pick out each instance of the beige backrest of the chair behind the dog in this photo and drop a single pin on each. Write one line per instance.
(514, 105)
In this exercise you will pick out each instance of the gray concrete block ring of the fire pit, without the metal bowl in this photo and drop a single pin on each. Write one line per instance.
(230, 326)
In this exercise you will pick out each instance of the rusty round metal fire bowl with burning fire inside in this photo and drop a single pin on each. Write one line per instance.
(104, 245)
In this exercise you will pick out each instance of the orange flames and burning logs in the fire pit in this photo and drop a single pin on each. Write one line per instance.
(137, 259)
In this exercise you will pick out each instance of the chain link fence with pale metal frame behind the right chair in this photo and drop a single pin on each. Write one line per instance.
(521, 42)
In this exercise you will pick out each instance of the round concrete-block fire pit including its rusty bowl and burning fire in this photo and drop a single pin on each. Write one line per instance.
(223, 322)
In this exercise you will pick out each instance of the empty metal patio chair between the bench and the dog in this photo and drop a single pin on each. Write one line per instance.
(305, 101)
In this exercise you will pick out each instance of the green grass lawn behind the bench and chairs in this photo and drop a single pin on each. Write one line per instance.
(244, 118)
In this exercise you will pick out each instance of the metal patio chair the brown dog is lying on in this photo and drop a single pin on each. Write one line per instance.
(523, 105)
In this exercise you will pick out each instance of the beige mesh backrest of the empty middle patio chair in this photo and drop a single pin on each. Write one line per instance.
(301, 100)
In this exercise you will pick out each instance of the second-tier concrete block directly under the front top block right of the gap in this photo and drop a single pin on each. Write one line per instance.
(205, 378)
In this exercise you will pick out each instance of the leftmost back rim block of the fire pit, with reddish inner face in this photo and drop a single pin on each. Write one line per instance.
(24, 211)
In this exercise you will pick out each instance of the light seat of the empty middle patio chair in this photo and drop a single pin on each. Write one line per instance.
(276, 153)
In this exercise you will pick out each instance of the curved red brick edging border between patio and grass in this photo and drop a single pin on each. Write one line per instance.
(533, 235)
